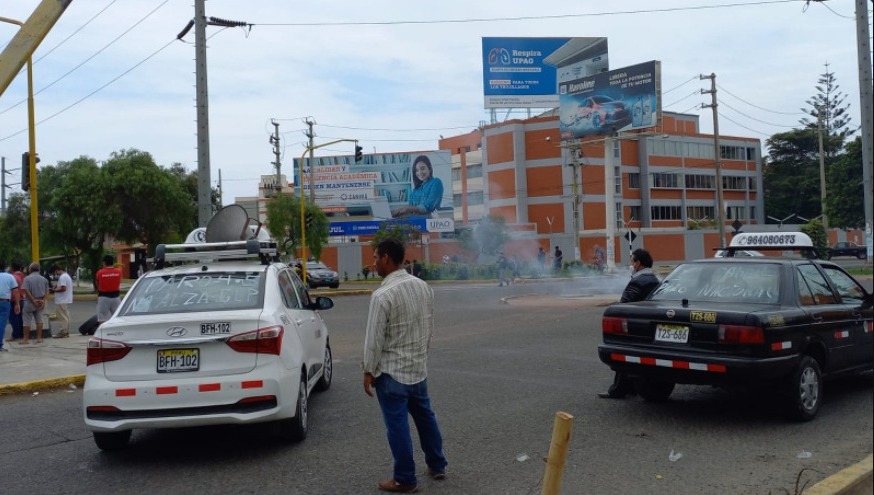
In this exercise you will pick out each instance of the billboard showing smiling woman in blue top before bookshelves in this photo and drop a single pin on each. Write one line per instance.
(381, 187)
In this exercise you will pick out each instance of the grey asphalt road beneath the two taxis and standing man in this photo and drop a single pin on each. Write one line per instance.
(498, 375)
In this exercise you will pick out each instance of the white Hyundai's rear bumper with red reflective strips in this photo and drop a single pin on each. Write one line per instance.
(231, 399)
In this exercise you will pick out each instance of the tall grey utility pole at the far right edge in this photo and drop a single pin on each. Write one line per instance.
(863, 47)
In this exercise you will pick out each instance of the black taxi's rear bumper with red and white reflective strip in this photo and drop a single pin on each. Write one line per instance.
(695, 368)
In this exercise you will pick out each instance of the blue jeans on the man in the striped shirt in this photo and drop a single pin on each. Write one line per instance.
(396, 401)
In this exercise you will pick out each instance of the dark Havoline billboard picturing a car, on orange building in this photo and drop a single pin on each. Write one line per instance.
(618, 100)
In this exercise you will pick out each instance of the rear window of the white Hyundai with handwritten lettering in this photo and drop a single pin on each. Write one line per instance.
(194, 292)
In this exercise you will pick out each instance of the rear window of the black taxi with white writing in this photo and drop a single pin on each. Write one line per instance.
(755, 283)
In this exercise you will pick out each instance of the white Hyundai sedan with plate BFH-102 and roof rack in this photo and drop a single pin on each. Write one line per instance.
(226, 341)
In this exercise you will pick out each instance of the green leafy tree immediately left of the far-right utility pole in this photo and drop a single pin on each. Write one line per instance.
(846, 193)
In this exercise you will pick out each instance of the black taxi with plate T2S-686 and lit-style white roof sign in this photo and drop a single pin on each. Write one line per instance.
(785, 321)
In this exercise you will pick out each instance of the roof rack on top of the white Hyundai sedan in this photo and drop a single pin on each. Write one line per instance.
(265, 250)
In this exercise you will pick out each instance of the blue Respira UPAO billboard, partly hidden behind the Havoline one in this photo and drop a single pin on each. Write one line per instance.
(525, 72)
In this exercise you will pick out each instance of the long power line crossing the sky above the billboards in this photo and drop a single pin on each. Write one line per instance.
(520, 18)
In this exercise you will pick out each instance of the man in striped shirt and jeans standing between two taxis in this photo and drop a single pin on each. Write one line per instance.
(399, 329)
